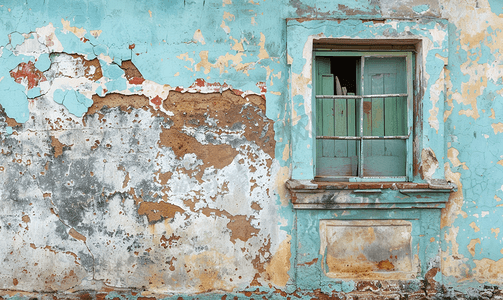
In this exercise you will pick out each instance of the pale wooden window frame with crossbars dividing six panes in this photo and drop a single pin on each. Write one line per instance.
(409, 60)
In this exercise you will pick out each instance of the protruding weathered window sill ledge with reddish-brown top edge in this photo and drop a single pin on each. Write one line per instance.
(369, 195)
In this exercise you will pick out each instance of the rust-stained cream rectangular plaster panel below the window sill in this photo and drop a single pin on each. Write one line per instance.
(367, 249)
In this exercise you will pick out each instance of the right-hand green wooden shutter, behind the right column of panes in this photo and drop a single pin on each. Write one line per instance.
(385, 116)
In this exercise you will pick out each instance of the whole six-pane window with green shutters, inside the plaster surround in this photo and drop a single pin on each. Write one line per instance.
(363, 107)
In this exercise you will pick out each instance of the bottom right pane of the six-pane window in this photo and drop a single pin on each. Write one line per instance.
(384, 157)
